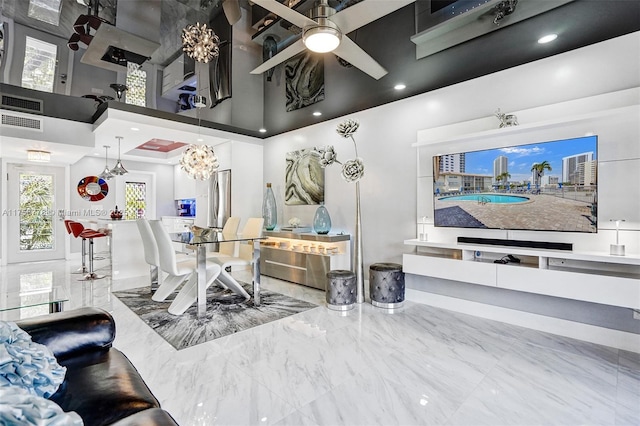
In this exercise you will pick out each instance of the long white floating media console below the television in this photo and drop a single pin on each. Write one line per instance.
(588, 276)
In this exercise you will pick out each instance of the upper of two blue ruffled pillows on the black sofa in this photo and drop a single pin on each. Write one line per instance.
(26, 364)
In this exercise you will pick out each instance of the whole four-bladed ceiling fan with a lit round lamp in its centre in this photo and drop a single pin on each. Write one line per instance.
(326, 29)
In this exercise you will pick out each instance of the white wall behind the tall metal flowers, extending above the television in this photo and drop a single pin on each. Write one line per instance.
(386, 133)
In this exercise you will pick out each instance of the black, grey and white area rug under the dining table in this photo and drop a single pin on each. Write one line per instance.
(226, 314)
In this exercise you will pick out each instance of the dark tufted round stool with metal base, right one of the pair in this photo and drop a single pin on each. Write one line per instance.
(386, 285)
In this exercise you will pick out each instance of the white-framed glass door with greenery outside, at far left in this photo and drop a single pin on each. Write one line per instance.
(35, 231)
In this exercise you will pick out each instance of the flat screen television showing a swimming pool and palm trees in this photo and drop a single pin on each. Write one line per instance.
(546, 186)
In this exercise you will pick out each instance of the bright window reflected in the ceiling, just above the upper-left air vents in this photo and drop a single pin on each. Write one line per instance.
(39, 65)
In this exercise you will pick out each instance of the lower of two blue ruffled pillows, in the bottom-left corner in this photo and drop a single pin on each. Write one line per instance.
(19, 407)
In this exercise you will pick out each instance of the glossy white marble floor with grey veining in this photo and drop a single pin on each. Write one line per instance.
(416, 366)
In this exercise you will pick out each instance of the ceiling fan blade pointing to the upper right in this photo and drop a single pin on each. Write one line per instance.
(360, 14)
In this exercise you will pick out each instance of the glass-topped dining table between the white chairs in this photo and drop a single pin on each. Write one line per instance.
(207, 238)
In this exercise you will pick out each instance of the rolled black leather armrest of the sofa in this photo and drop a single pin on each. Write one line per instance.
(73, 332)
